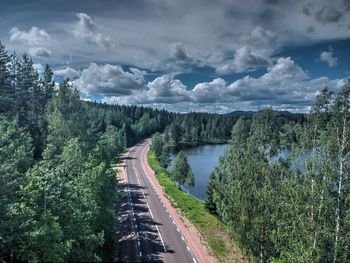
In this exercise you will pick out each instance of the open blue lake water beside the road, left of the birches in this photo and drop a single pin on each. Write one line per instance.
(202, 159)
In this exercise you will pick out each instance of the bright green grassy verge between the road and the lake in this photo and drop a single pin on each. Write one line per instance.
(213, 231)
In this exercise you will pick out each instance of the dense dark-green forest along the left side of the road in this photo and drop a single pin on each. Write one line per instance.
(57, 185)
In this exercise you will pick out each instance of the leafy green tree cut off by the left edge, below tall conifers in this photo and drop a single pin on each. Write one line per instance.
(16, 157)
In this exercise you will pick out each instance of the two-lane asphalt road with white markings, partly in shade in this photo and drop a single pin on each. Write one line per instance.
(149, 232)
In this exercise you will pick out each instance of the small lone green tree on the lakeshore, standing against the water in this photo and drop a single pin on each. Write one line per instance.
(181, 171)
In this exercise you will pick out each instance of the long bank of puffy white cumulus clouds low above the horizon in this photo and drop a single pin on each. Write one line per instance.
(284, 86)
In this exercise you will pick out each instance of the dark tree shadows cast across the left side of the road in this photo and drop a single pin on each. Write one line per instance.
(143, 226)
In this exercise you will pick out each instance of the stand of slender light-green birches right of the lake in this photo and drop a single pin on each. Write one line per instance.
(292, 208)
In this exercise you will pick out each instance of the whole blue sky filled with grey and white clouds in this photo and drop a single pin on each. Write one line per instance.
(187, 55)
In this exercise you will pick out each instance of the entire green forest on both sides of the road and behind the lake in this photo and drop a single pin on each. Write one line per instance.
(282, 187)
